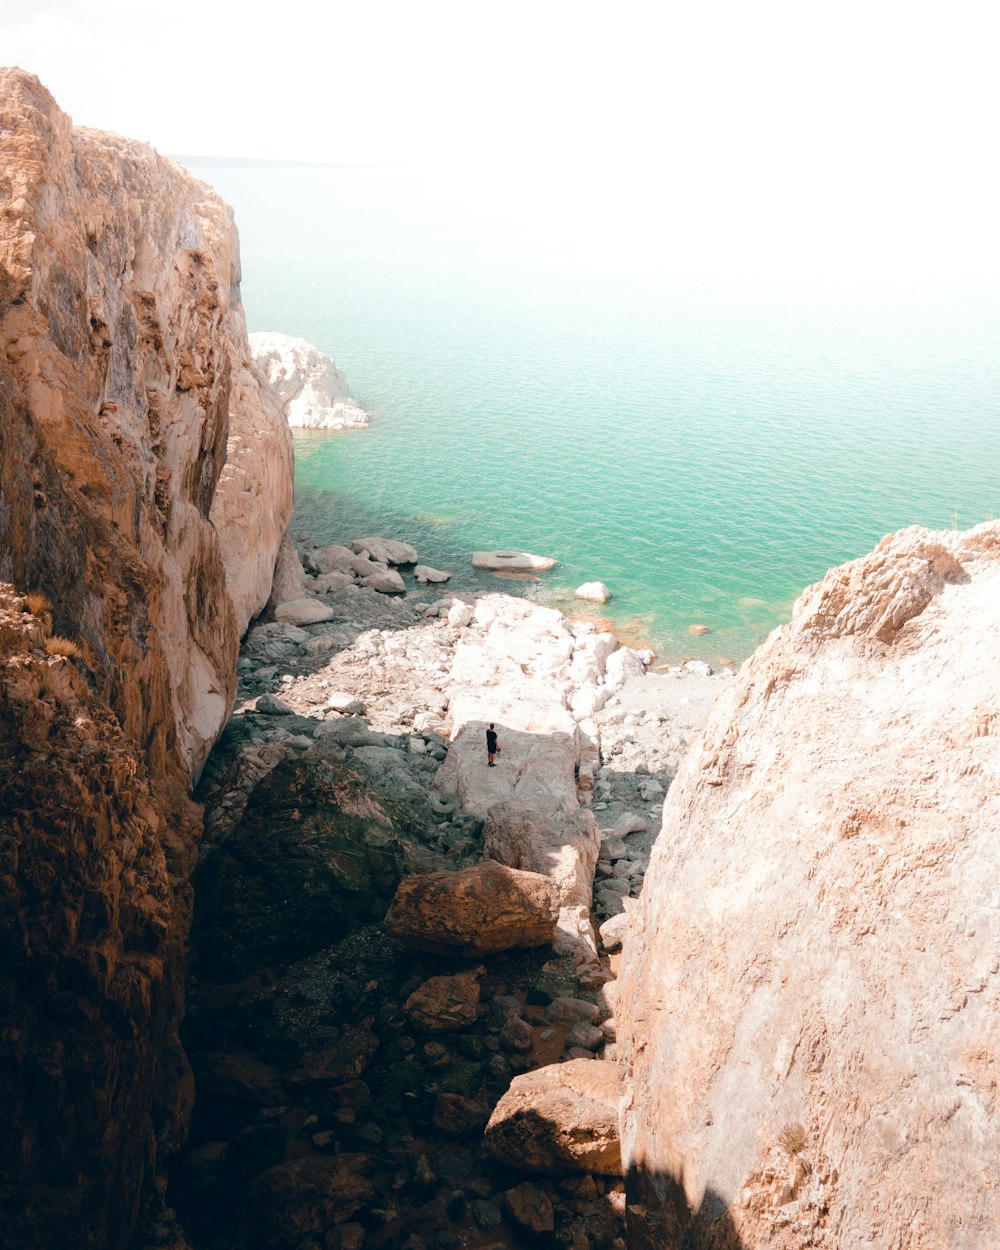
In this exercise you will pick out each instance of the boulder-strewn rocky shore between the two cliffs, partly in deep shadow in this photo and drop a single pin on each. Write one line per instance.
(341, 1056)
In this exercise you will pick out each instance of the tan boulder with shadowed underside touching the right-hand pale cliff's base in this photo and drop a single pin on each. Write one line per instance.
(559, 1119)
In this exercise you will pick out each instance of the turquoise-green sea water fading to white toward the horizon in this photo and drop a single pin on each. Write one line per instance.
(707, 451)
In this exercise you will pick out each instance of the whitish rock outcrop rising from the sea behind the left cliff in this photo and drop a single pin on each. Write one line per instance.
(311, 387)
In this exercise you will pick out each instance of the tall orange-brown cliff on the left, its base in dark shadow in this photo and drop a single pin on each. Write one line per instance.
(124, 369)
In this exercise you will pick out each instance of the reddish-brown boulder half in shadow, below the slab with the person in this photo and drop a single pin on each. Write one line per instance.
(476, 912)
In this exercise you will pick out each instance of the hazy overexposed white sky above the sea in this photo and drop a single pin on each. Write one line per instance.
(771, 134)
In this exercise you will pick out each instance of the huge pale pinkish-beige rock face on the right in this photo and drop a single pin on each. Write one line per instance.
(812, 987)
